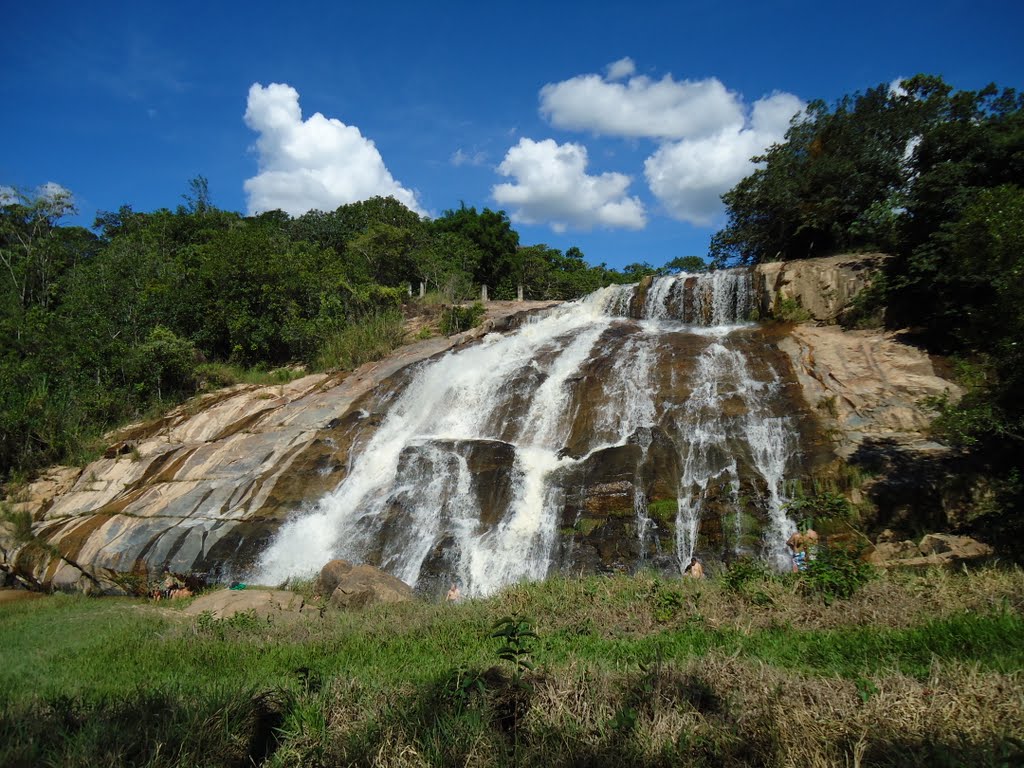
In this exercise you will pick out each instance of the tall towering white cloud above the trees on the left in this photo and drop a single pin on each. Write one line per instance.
(316, 163)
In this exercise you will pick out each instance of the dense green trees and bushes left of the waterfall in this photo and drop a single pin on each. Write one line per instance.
(99, 327)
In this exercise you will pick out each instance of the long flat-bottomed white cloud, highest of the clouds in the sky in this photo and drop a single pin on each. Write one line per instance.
(641, 107)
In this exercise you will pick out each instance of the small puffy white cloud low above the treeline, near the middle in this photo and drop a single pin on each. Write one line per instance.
(551, 186)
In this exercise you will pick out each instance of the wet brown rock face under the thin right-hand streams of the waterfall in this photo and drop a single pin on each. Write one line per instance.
(623, 506)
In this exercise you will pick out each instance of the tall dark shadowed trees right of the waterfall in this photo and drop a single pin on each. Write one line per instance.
(935, 178)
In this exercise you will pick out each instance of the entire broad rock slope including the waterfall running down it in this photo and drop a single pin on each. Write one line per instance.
(644, 439)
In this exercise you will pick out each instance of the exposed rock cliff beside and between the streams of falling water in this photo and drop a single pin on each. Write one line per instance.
(204, 489)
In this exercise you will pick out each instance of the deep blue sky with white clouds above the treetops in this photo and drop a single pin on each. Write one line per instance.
(610, 126)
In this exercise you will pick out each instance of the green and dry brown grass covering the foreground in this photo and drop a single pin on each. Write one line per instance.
(913, 670)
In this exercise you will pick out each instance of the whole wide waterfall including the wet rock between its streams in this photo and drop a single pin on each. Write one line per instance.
(481, 455)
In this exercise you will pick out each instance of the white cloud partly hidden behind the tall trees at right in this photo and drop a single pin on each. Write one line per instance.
(690, 177)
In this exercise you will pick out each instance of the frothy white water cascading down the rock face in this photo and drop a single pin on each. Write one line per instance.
(411, 496)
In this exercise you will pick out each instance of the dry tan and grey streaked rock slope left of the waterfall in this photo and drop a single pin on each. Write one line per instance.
(205, 486)
